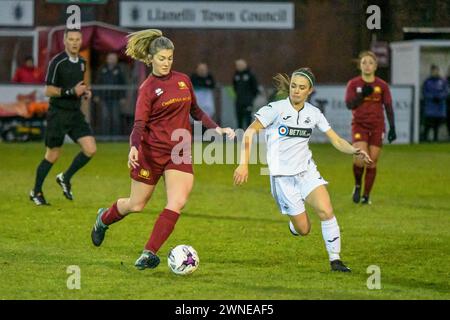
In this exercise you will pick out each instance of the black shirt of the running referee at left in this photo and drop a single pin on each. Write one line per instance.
(64, 72)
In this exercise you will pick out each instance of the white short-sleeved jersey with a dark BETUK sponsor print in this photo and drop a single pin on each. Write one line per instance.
(287, 135)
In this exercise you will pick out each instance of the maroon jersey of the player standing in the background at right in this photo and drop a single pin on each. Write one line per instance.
(370, 112)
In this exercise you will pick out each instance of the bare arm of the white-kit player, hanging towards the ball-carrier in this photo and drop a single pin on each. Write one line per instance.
(241, 172)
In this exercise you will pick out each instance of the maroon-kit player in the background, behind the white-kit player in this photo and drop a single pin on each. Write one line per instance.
(365, 96)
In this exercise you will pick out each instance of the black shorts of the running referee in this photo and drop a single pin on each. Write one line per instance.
(61, 122)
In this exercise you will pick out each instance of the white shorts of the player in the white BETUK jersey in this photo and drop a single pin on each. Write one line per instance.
(290, 192)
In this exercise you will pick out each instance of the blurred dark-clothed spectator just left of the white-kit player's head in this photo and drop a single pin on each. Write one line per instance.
(245, 86)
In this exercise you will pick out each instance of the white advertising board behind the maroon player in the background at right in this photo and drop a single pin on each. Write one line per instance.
(330, 99)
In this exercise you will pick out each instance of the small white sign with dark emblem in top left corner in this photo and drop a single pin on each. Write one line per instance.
(17, 13)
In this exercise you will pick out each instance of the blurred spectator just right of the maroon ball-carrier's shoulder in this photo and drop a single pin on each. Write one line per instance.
(204, 85)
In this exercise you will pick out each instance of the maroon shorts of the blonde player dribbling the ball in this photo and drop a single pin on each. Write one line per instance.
(153, 163)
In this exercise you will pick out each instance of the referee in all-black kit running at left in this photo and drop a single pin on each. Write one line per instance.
(66, 88)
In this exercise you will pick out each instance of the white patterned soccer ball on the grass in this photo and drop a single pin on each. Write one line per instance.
(183, 259)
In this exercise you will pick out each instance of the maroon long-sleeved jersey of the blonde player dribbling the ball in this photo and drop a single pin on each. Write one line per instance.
(163, 106)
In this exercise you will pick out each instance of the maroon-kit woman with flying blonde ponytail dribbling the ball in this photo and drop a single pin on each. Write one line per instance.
(165, 101)
